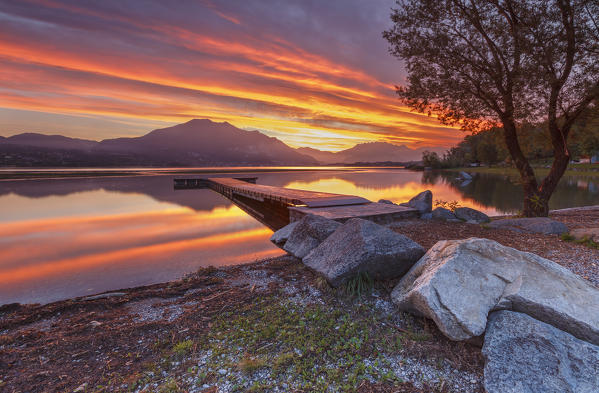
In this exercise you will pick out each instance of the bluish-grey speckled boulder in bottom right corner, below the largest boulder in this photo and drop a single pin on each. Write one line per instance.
(523, 355)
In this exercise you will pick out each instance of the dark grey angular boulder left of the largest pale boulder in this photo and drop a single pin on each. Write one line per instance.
(361, 246)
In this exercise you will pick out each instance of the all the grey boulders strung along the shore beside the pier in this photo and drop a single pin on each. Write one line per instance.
(539, 321)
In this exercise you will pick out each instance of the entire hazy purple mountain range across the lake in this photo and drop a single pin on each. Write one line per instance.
(199, 142)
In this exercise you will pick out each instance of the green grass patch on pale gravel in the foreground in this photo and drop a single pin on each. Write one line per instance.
(312, 347)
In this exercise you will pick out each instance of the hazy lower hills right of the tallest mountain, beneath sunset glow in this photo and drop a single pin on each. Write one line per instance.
(369, 152)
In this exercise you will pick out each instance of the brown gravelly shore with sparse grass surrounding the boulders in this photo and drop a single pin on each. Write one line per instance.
(238, 327)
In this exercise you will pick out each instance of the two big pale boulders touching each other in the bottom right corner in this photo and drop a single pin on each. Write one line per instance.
(540, 321)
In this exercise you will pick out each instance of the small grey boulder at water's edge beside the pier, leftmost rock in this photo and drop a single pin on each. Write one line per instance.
(309, 232)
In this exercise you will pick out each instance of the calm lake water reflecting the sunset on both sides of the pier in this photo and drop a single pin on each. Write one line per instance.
(73, 237)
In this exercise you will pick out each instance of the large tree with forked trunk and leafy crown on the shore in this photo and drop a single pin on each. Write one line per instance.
(484, 63)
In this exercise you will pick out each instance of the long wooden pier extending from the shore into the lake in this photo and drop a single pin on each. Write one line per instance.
(278, 206)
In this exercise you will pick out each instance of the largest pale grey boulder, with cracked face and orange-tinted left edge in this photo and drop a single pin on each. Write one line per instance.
(458, 282)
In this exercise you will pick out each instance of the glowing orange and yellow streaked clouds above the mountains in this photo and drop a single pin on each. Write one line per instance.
(260, 81)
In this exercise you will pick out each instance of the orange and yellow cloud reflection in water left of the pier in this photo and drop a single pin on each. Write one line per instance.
(43, 258)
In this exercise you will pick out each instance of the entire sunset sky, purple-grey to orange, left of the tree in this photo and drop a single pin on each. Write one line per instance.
(309, 72)
